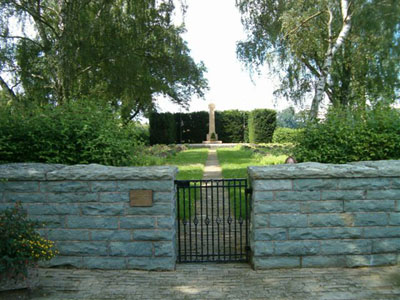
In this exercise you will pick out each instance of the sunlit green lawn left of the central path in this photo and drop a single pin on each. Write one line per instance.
(190, 163)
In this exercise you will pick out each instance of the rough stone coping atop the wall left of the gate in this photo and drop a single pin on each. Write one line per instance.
(56, 172)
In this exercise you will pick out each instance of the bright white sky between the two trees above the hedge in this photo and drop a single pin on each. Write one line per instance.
(213, 29)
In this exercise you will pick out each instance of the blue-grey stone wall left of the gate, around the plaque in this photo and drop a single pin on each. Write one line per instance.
(87, 213)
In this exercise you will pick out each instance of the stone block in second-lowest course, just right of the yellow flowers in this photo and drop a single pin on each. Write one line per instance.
(82, 248)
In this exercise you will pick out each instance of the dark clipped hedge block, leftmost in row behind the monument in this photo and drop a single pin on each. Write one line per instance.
(162, 128)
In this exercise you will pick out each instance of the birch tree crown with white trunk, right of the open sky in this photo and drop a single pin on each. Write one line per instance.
(346, 50)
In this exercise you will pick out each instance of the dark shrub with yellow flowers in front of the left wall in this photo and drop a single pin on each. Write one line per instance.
(20, 243)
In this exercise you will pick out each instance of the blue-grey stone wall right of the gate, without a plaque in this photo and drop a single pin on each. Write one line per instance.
(322, 215)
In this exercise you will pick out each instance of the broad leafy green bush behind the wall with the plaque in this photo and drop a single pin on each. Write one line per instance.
(73, 133)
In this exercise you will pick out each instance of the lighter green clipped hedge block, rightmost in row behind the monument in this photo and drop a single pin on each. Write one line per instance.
(262, 123)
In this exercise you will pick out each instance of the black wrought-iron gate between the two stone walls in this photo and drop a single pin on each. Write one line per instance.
(213, 219)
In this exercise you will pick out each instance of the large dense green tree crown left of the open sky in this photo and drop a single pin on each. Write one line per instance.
(122, 52)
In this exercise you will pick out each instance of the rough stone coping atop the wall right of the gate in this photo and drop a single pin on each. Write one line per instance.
(383, 168)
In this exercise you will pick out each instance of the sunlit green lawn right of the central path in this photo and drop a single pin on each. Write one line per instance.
(234, 161)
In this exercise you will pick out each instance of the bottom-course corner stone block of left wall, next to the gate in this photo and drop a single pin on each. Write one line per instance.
(152, 263)
